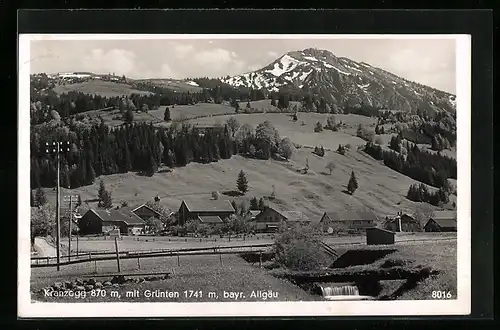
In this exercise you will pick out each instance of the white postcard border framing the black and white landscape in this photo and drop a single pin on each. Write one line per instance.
(460, 306)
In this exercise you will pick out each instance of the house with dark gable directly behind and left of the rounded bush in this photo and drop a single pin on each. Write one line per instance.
(272, 220)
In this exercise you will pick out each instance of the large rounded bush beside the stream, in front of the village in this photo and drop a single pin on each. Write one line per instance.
(300, 250)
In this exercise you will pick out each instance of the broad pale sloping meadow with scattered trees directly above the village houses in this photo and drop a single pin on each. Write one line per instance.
(381, 189)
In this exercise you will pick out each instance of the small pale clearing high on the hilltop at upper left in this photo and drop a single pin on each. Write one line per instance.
(99, 87)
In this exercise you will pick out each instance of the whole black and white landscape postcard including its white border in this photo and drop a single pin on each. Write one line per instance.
(284, 174)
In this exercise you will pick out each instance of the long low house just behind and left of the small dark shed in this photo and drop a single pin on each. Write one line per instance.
(348, 220)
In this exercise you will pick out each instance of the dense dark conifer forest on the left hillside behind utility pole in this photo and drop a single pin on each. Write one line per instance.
(100, 150)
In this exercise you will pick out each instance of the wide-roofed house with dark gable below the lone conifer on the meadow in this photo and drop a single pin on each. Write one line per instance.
(200, 210)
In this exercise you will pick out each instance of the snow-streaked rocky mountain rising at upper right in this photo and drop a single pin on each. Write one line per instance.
(343, 81)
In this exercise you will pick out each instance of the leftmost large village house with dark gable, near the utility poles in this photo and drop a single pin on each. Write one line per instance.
(104, 221)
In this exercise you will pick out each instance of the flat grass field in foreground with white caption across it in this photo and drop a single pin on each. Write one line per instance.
(198, 273)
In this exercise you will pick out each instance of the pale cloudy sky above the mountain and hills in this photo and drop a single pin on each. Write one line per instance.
(427, 61)
